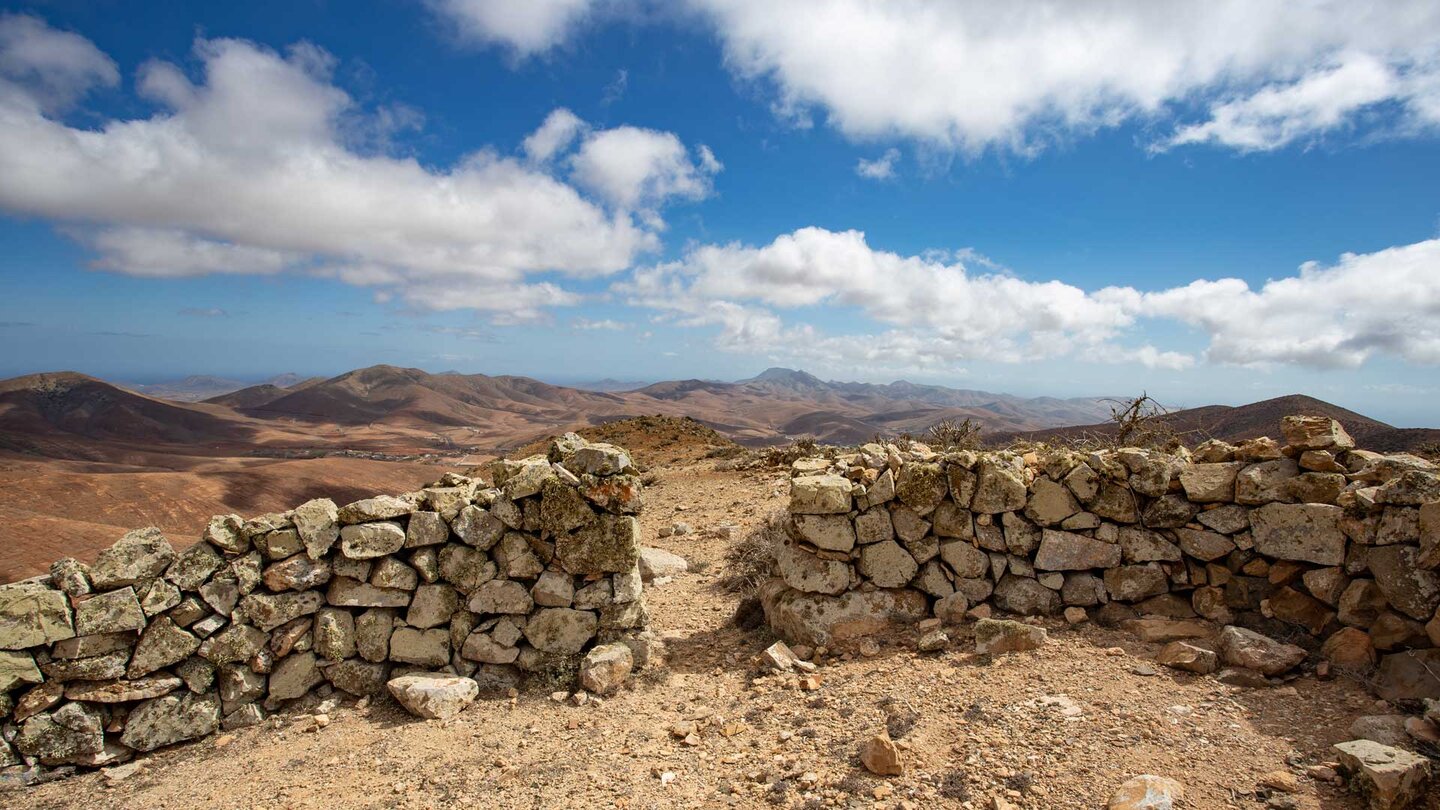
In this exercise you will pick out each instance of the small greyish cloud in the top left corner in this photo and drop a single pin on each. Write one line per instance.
(58, 67)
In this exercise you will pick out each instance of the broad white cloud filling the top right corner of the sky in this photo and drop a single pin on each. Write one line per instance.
(976, 74)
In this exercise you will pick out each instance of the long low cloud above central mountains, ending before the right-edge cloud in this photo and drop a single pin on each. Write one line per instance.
(938, 312)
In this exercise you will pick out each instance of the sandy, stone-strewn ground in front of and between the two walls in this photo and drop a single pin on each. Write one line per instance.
(1059, 727)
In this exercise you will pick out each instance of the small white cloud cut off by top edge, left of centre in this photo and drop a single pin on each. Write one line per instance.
(526, 27)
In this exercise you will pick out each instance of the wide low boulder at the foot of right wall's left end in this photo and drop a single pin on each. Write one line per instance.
(830, 620)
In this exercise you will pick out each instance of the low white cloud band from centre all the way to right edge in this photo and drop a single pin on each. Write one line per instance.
(940, 312)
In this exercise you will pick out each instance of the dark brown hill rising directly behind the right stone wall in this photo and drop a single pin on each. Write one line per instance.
(1235, 423)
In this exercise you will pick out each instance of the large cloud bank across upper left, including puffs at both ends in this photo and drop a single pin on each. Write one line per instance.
(253, 169)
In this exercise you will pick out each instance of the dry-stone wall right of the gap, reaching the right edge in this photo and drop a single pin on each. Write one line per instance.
(1315, 534)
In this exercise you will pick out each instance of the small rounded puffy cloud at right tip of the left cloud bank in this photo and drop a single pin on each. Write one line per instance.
(640, 169)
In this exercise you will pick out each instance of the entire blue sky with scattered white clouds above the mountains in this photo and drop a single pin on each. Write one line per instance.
(1212, 202)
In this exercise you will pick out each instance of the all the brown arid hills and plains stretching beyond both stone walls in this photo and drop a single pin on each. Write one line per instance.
(83, 460)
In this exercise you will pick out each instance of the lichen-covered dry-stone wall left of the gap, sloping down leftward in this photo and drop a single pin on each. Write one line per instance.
(150, 646)
